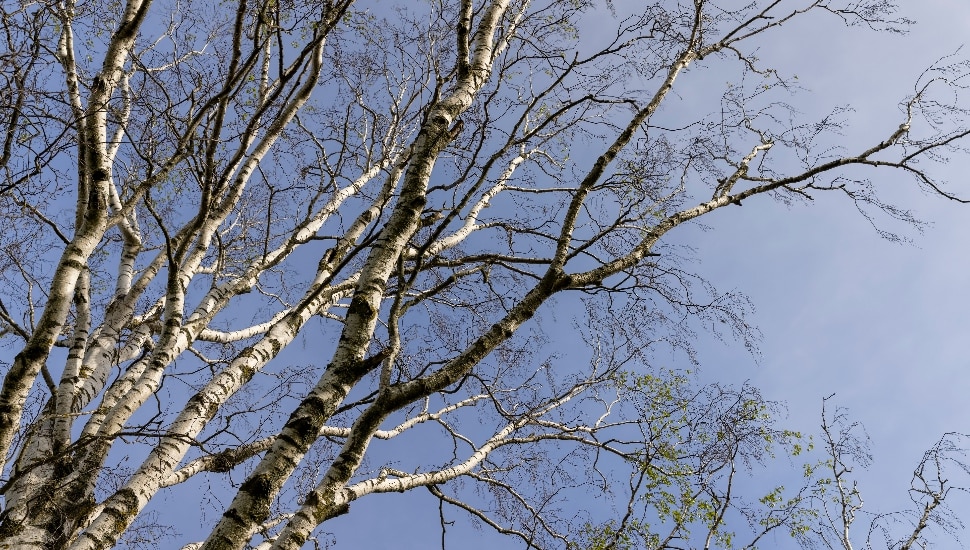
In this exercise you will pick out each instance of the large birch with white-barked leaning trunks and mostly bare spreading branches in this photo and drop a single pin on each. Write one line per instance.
(191, 190)
